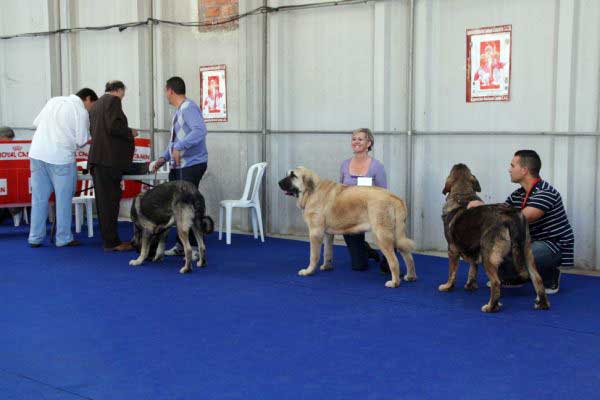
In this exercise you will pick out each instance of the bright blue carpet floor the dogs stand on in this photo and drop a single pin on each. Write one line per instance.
(81, 323)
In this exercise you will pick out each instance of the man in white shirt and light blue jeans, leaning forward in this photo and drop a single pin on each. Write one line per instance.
(62, 127)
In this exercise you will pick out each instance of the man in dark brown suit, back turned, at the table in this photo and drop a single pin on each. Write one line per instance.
(111, 153)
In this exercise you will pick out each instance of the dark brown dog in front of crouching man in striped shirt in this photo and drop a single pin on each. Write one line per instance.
(485, 234)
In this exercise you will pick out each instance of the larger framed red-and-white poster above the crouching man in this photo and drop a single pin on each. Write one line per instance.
(488, 63)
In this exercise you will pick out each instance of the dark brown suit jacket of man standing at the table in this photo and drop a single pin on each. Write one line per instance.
(112, 141)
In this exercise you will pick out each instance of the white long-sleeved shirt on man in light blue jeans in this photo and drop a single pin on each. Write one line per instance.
(62, 126)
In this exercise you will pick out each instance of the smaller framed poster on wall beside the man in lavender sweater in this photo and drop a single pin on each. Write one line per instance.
(213, 93)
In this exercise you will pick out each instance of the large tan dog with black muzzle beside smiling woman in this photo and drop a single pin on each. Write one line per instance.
(331, 208)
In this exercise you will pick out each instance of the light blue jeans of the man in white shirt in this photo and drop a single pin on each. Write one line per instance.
(45, 179)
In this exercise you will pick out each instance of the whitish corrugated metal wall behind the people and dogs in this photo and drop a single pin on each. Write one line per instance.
(333, 69)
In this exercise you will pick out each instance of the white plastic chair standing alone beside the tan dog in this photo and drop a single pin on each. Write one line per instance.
(249, 200)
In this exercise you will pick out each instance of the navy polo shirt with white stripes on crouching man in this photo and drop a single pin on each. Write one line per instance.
(553, 227)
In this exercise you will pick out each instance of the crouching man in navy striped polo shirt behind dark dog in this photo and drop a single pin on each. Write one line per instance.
(552, 239)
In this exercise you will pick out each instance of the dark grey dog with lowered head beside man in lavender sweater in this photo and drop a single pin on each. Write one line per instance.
(153, 212)
